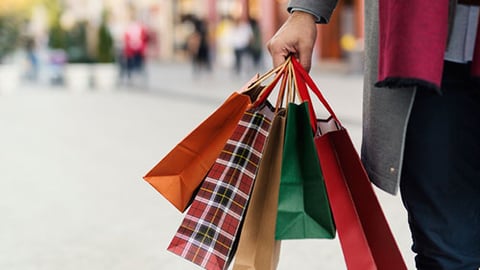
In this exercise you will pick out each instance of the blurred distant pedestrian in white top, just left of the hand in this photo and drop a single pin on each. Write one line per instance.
(241, 37)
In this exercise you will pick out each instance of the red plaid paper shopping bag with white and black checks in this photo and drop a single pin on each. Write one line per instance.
(208, 231)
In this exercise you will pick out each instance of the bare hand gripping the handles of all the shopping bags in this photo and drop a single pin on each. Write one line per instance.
(296, 36)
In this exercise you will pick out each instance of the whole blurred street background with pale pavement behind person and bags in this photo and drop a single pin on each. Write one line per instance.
(93, 93)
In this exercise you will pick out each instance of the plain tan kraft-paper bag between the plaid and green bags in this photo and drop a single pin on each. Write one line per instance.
(257, 248)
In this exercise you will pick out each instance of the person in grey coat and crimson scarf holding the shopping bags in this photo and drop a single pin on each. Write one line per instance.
(421, 120)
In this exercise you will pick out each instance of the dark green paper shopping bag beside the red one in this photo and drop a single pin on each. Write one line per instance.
(303, 206)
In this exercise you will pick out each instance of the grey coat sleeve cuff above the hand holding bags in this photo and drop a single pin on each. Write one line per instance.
(322, 9)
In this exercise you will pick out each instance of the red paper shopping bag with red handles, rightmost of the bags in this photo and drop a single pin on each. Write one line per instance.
(363, 230)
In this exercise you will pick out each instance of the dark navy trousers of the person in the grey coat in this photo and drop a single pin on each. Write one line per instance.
(440, 183)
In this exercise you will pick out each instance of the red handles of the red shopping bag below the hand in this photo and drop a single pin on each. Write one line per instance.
(306, 80)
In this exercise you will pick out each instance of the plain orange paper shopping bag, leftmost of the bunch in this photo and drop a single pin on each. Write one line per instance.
(178, 175)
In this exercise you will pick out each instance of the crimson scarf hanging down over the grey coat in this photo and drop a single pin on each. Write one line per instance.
(413, 40)
